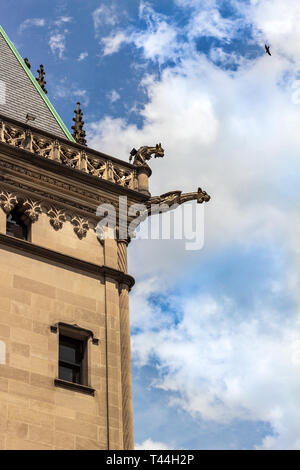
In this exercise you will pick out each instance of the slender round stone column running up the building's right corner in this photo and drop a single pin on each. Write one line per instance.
(125, 351)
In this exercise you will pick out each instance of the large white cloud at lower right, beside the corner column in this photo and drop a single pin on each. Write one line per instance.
(225, 369)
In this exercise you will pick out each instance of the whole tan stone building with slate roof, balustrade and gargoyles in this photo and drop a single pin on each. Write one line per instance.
(61, 277)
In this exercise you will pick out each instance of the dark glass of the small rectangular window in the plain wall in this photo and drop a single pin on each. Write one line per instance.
(71, 352)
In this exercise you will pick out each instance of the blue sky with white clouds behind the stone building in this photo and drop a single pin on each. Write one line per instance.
(215, 331)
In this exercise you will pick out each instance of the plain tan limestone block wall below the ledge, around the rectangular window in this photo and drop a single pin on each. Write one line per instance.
(34, 413)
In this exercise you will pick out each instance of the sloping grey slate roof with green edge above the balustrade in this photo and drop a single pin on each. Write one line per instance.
(21, 94)
